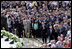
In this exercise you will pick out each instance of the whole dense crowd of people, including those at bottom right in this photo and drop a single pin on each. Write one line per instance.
(42, 19)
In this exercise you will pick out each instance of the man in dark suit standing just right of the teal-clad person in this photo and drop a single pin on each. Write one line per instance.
(44, 32)
